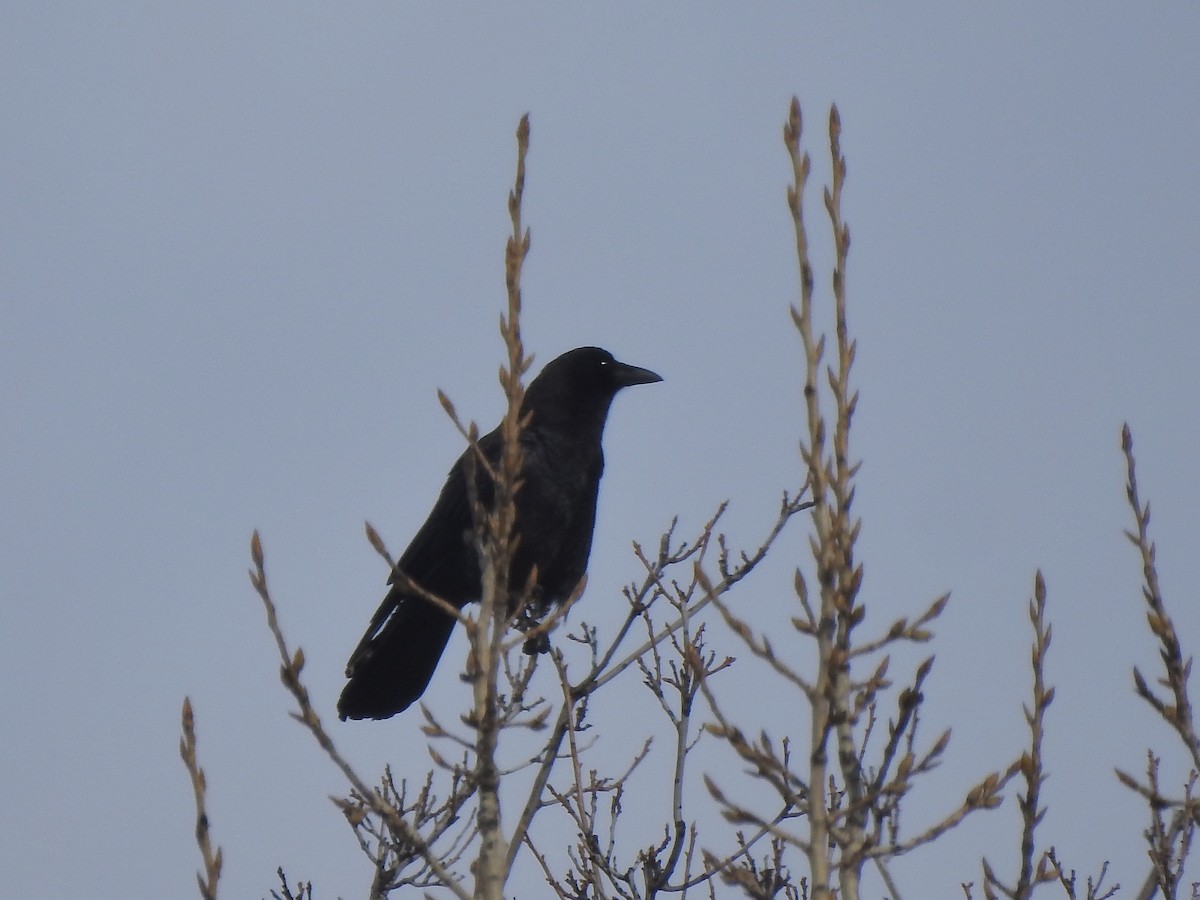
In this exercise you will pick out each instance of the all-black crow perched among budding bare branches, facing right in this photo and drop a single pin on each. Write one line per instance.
(556, 508)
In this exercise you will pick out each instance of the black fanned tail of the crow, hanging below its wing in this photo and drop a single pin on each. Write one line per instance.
(393, 667)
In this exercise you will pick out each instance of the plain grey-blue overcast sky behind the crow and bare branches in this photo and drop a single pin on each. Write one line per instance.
(244, 244)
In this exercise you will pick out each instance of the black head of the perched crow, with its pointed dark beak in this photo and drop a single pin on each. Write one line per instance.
(581, 385)
